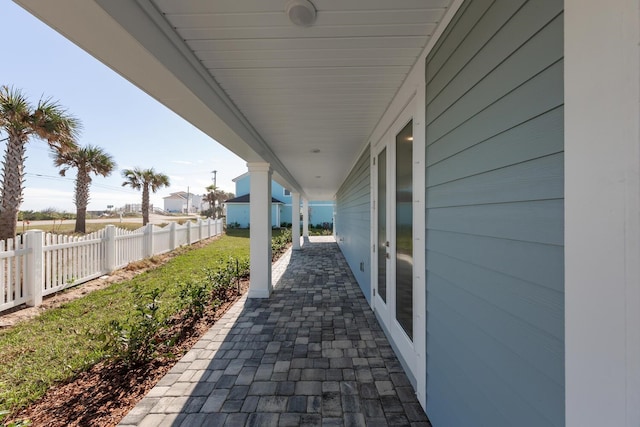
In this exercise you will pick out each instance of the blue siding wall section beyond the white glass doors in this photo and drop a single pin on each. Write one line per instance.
(353, 222)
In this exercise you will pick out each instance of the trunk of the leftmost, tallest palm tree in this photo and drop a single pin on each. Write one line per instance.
(12, 179)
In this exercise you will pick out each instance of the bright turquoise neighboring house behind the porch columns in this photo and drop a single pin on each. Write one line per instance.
(320, 212)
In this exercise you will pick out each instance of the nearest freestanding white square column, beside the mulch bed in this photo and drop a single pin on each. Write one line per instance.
(260, 234)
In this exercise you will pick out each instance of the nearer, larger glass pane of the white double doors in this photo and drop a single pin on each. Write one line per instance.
(404, 229)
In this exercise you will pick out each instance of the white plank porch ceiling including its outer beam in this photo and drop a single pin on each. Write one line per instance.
(248, 77)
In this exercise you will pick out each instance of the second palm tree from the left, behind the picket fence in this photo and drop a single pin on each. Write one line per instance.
(87, 160)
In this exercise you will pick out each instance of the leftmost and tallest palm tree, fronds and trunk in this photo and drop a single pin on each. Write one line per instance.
(21, 121)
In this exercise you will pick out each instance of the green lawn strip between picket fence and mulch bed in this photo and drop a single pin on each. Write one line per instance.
(63, 341)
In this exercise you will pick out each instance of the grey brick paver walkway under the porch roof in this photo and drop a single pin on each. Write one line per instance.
(312, 354)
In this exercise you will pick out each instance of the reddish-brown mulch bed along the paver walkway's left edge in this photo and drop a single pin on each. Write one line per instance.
(104, 394)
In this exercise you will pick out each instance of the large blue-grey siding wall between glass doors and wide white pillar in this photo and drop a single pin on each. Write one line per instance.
(495, 290)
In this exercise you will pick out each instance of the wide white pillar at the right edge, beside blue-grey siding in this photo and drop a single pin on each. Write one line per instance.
(602, 212)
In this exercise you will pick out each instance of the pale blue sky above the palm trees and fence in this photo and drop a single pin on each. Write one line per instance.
(127, 123)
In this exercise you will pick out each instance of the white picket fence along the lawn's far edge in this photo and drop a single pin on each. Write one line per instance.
(38, 264)
